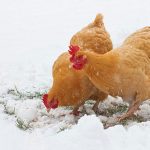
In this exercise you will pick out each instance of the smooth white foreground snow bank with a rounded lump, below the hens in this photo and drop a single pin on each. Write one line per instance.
(87, 134)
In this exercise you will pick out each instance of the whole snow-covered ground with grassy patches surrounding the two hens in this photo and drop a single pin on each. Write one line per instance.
(32, 34)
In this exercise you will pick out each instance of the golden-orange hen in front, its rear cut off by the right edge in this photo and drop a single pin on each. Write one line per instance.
(124, 71)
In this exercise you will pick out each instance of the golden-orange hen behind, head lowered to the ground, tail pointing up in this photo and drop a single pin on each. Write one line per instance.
(71, 87)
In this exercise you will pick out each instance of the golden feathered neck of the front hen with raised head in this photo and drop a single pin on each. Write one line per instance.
(101, 69)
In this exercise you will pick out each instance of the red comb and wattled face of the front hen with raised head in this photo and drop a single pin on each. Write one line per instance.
(78, 61)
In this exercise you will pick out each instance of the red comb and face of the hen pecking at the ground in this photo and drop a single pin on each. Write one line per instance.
(50, 104)
